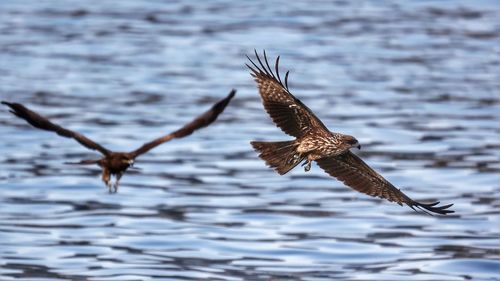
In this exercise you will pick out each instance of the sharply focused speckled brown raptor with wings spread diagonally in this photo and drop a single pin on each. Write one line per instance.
(314, 142)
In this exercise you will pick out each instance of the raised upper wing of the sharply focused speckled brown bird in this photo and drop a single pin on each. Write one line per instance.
(288, 112)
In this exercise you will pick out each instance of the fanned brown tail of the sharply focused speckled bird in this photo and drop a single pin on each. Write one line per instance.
(281, 156)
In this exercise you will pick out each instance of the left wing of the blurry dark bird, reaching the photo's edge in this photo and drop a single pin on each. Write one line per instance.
(40, 122)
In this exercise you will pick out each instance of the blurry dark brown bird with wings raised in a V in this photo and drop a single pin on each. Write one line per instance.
(116, 163)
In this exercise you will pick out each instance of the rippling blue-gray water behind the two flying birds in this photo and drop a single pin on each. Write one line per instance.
(417, 83)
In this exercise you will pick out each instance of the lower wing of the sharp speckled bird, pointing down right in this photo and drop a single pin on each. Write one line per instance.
(355, 173)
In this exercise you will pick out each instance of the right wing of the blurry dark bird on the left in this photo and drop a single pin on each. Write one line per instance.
(201, 121)
